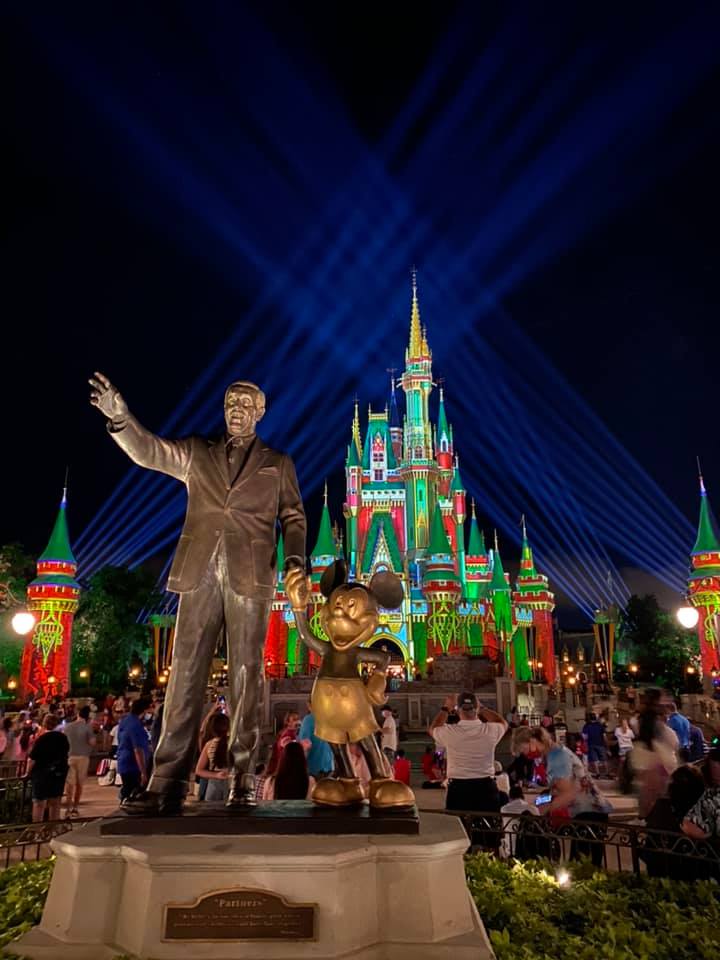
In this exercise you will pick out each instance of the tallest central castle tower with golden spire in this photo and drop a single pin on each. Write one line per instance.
(418, 466)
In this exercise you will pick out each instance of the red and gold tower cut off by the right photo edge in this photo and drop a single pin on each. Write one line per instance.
(704, 585)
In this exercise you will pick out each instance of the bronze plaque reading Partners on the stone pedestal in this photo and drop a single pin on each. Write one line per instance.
(240, 915)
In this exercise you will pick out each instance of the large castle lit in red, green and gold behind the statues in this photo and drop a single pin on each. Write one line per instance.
(405, 510)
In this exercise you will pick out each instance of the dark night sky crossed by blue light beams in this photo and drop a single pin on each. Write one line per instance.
(166, 160)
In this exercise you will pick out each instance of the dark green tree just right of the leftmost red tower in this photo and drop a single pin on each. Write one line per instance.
(106, 634)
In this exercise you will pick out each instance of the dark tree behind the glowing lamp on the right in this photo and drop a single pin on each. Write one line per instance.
(660, 647)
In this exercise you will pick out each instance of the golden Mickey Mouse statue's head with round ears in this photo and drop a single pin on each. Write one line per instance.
(350, 616)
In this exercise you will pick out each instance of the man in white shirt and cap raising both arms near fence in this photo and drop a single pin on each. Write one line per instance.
(470, 752)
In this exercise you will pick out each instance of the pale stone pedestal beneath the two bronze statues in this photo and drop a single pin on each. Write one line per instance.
(377, 897)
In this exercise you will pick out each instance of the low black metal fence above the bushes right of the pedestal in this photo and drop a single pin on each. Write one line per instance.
(612, 844)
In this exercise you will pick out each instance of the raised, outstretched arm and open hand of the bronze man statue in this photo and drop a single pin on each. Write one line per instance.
(147, 450)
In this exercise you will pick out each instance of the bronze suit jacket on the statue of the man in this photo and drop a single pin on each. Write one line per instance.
(244, 513)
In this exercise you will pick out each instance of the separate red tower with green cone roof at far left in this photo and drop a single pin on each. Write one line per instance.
(53, 598)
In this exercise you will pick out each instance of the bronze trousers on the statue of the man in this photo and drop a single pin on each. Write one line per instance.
(202, 614)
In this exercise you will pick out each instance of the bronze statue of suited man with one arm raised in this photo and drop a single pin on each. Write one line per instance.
(224, 570)
